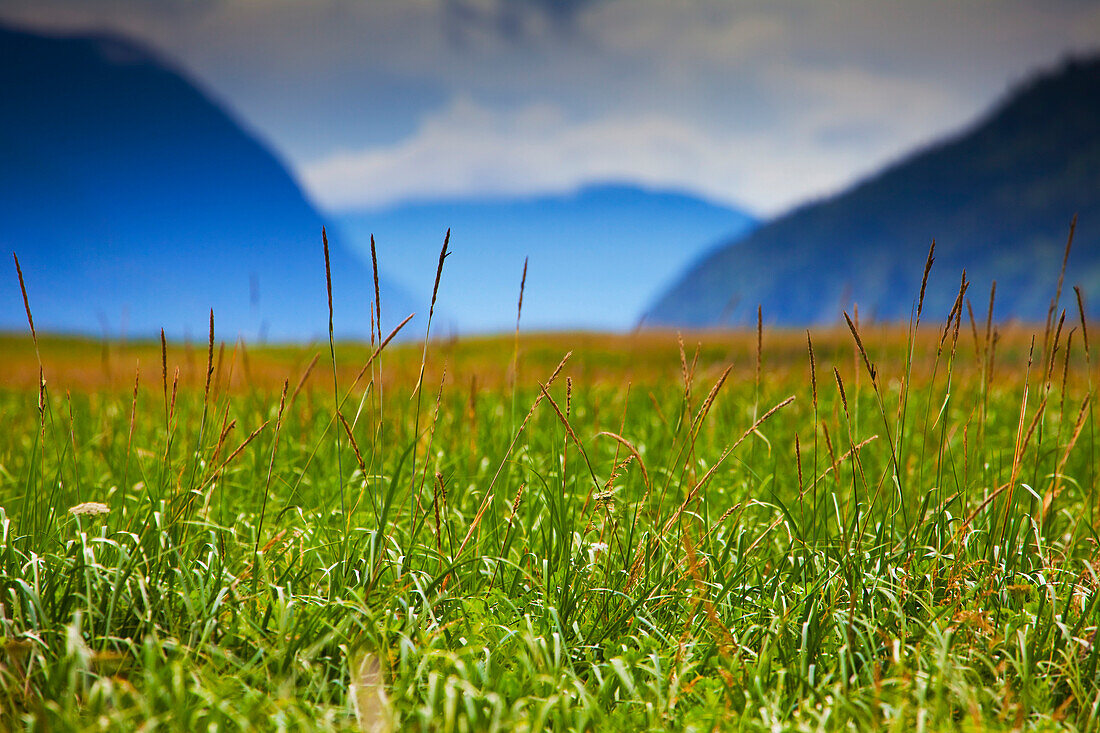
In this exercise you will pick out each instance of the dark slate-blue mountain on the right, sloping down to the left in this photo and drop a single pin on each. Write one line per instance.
(998, 200)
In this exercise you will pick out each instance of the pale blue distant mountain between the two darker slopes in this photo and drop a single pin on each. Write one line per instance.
(597, 256)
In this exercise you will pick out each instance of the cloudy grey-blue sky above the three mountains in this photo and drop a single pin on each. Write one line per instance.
(757, 105)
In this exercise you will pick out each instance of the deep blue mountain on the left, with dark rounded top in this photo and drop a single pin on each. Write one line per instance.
(135, 202)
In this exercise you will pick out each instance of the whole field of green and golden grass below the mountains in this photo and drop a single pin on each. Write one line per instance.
(882, 529)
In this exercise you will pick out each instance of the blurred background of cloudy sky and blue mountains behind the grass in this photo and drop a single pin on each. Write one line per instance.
(658, 165)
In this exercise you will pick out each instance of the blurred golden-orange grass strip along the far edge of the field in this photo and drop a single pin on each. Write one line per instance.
(85, 365)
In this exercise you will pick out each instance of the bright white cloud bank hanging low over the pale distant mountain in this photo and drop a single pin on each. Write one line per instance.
(470, 149)
